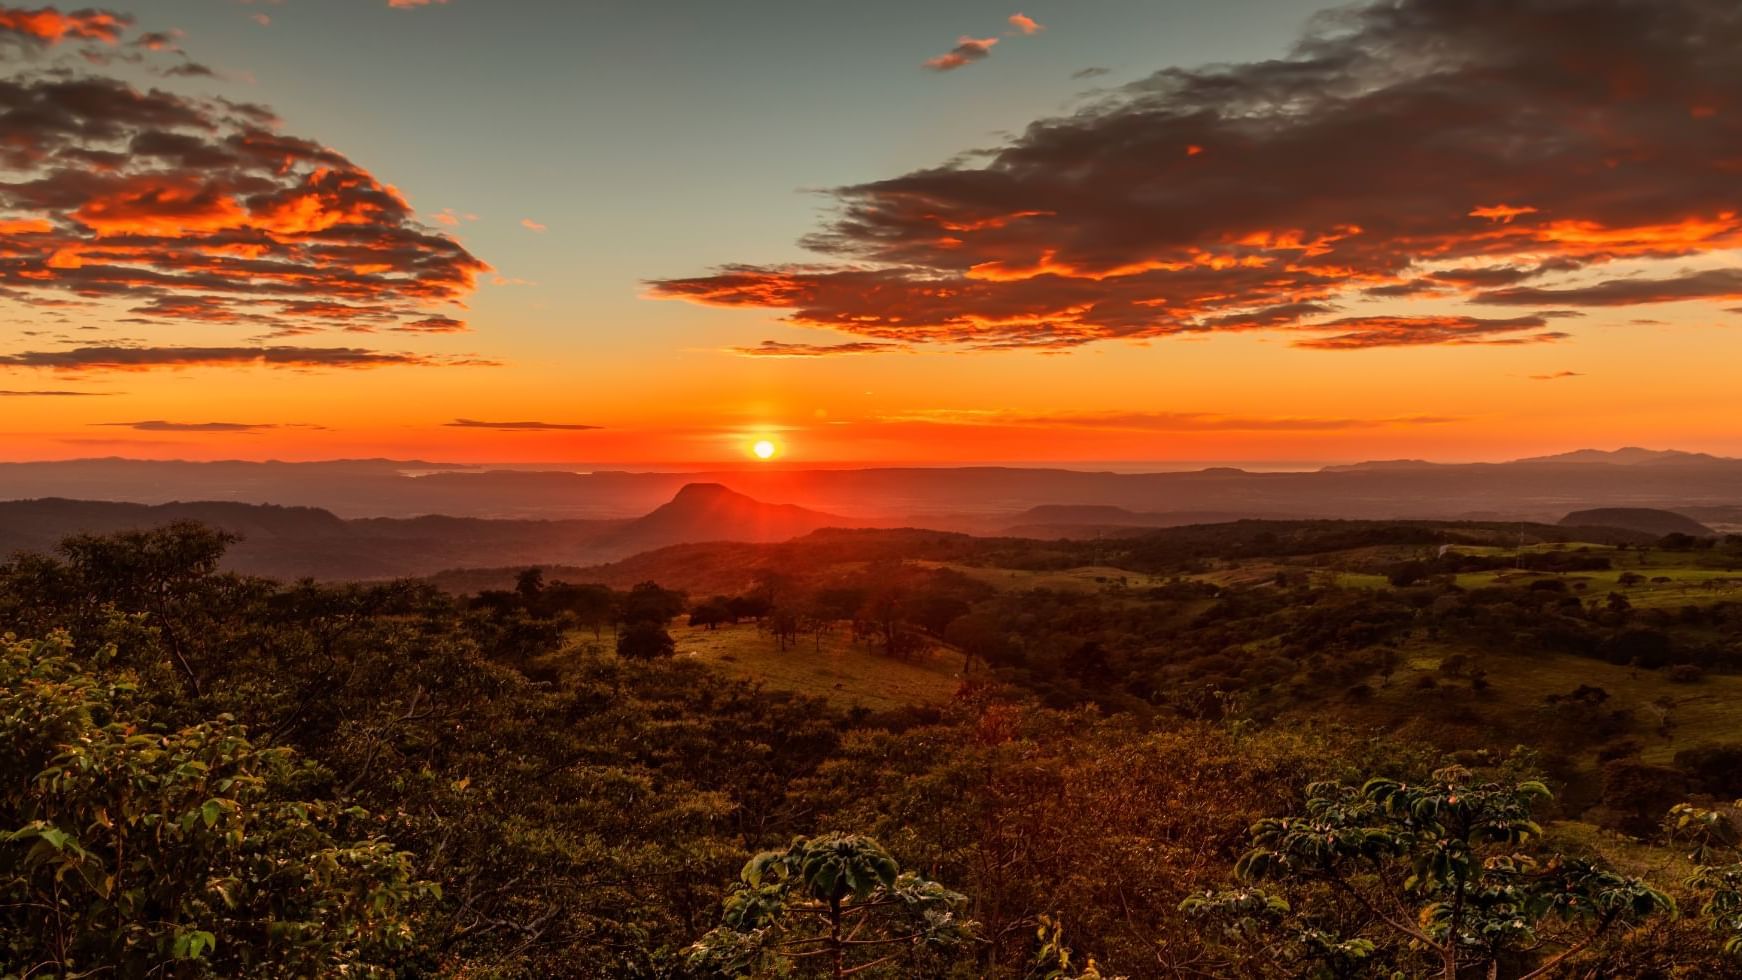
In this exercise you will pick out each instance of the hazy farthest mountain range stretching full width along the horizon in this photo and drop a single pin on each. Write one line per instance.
(964, 499)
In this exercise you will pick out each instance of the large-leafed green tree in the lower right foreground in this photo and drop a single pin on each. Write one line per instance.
(1445, 868)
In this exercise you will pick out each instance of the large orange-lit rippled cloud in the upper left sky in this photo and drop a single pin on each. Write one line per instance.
(196, 208)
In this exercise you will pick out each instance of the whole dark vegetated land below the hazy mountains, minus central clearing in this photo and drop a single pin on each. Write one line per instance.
(1219, 753)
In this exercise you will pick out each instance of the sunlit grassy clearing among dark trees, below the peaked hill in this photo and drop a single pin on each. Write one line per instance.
(851, 676)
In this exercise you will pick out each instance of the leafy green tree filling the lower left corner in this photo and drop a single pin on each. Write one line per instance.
(140, 850)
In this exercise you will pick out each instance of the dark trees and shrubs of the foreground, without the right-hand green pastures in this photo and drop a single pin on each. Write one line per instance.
(229, 777)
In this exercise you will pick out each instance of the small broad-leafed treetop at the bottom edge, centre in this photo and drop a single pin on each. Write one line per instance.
(832, 906)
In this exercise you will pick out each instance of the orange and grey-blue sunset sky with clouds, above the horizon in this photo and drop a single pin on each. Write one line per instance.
(631, 234)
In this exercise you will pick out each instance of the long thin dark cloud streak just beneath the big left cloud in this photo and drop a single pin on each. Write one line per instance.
(151, 358)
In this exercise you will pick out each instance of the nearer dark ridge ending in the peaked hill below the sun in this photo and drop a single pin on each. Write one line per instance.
(304, 542)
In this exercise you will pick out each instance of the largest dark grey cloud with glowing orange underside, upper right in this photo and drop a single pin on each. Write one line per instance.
(1403, 149)
